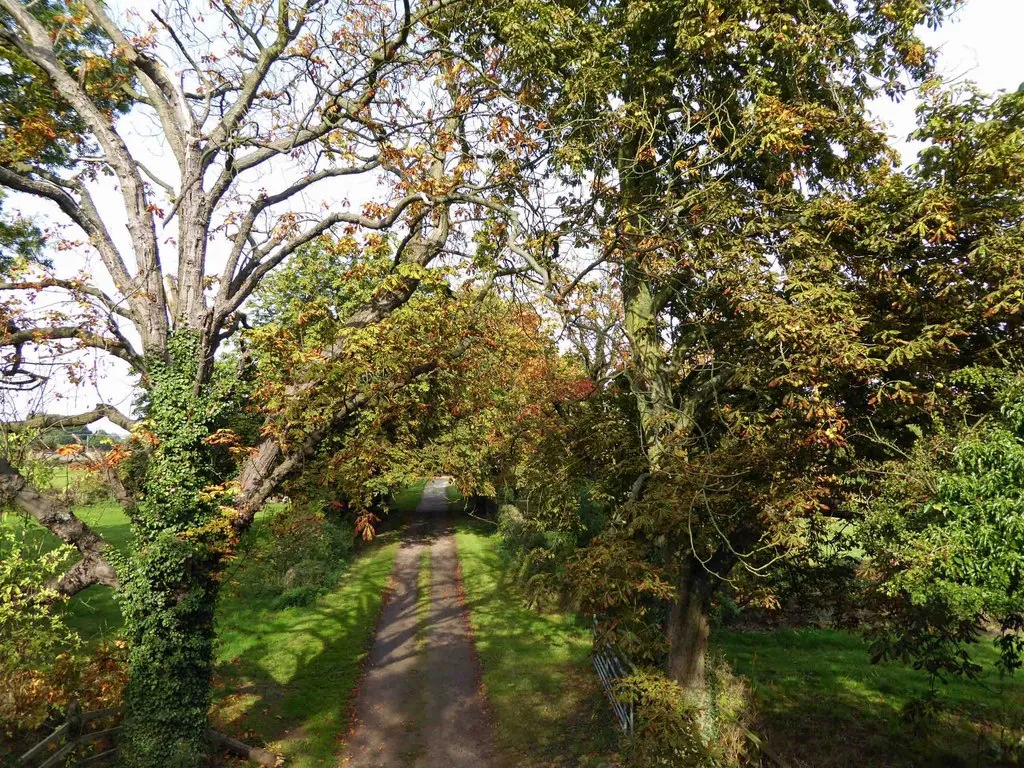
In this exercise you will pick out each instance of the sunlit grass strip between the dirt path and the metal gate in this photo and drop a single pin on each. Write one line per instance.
(548, 707)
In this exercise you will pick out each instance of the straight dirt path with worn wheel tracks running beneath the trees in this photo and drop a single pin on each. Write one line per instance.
(419, 704)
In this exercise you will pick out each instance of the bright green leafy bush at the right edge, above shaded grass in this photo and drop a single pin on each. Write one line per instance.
(944, 538)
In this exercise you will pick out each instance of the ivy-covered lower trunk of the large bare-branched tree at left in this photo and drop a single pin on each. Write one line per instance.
(169, 585)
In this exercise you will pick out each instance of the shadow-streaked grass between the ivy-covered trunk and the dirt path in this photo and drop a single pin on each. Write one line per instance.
(286, 678)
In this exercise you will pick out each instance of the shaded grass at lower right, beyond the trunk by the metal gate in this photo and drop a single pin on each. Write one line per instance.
(823, 704)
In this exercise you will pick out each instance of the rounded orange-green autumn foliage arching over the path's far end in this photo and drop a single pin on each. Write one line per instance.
(495, 388)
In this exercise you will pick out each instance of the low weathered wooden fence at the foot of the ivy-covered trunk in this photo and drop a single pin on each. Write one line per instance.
(68, 745)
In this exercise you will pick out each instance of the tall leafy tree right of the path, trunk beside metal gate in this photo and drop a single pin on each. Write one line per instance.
(697, 135)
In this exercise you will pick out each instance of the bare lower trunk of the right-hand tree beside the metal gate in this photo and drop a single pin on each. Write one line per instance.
(689, 628)
